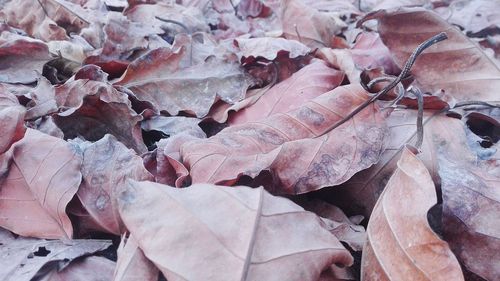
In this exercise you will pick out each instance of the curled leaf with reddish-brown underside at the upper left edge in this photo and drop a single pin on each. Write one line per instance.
(21, 61)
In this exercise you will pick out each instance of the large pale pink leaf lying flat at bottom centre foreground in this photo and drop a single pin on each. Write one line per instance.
(241, 233)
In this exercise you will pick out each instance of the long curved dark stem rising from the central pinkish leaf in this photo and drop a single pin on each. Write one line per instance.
(406, 70)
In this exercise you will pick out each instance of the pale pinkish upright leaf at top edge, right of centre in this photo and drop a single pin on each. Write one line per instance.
(308, 25)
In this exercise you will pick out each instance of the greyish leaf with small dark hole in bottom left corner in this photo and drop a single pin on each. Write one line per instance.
(22, 258)
